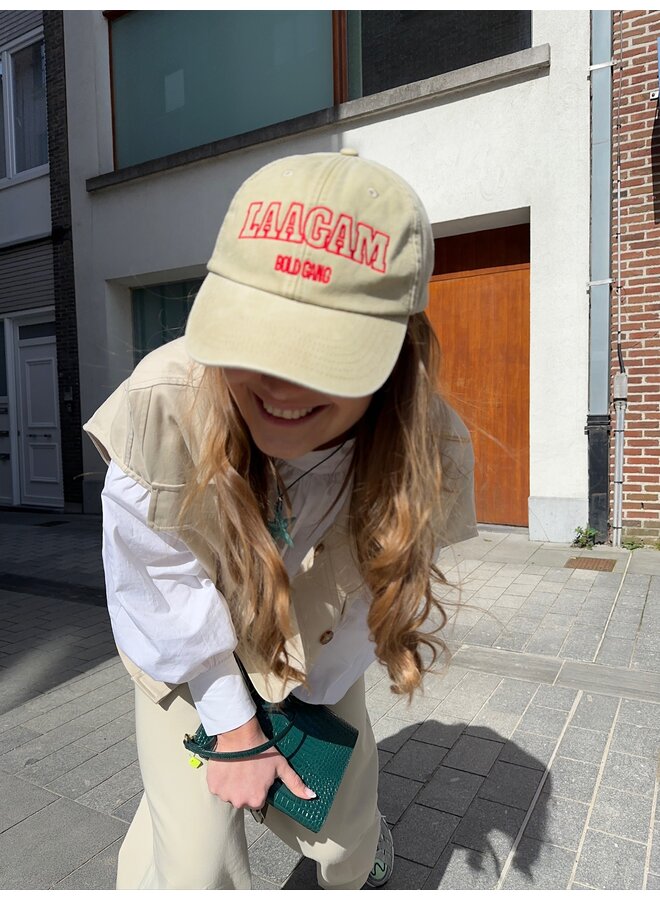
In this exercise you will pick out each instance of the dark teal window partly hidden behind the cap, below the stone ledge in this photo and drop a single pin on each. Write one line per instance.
(160, 313)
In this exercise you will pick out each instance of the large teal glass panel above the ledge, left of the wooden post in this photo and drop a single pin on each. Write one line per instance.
(183, 79)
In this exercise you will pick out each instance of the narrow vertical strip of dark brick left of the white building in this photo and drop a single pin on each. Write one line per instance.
(63, 274)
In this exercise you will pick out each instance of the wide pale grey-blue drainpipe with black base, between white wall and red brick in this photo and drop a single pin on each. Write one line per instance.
(598, 418)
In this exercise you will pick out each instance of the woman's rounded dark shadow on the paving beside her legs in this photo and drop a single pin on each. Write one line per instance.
(468, 807)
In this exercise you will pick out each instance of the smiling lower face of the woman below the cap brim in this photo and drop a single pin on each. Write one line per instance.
(287, 420)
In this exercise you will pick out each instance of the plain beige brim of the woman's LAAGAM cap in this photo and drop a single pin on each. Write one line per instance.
(332, 351)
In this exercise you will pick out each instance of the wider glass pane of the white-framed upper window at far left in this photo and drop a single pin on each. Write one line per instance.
(30, 131)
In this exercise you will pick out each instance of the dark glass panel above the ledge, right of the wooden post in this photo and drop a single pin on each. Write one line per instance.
(389, 48)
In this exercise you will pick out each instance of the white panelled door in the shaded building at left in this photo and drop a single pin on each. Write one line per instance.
(39, 420)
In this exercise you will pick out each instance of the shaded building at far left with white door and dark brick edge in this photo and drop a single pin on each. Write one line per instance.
(39, 400)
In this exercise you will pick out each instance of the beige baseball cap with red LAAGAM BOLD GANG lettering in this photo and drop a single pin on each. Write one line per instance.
(319, 263)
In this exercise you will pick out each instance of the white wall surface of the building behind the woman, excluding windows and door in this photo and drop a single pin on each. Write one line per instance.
(492, 156)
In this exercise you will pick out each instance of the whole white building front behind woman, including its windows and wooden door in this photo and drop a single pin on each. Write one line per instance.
(491, 128)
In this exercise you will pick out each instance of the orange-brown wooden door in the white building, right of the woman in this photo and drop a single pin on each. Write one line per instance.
(481, 318)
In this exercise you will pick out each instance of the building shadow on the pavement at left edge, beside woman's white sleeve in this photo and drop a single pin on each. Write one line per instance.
(53, 622)
